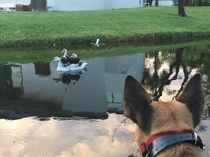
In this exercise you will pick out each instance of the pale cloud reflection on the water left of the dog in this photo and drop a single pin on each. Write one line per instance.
(73, 137)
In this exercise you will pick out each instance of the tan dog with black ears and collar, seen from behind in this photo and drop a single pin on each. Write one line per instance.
(166, 129)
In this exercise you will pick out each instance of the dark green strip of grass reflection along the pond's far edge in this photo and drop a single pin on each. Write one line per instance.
(46, 54)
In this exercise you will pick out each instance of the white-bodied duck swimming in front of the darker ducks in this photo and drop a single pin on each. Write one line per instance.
(72, 67)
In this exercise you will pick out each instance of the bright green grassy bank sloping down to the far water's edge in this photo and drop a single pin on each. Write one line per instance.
(125, 25)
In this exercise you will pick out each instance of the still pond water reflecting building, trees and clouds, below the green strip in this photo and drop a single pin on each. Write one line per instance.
(49, 114)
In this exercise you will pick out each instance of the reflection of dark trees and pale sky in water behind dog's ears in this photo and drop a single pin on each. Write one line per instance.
(161, 68)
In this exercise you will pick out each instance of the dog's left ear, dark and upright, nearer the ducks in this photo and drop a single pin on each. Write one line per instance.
(136, 103)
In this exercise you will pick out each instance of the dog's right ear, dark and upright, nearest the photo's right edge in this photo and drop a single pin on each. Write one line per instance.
(193, 97)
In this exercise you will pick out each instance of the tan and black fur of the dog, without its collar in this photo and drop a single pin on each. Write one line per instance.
(155, 117)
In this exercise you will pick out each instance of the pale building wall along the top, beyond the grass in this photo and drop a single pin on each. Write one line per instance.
(74, 5)
